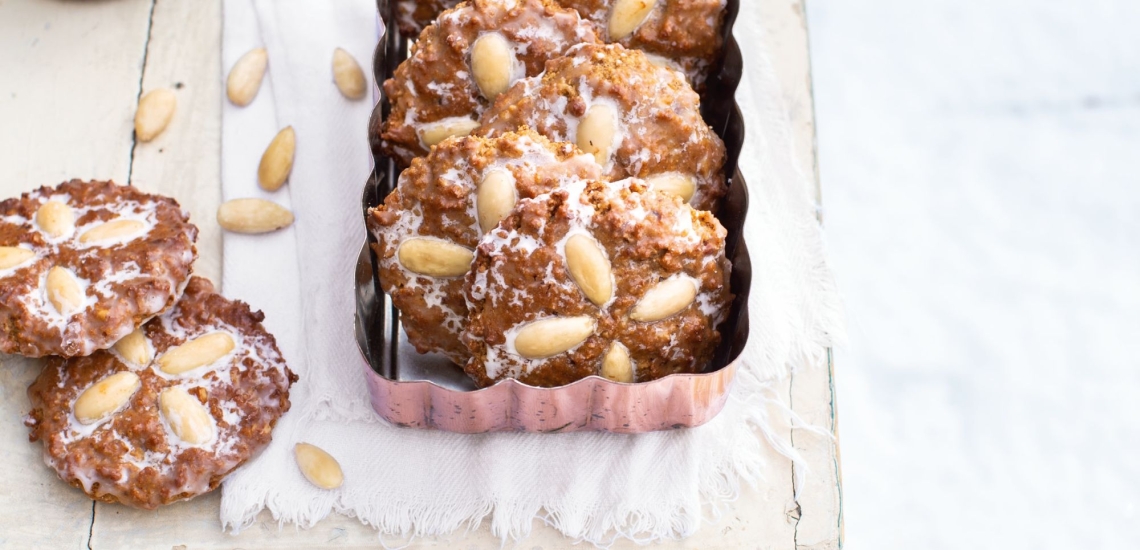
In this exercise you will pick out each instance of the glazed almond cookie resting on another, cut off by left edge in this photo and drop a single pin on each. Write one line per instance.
(85, 264)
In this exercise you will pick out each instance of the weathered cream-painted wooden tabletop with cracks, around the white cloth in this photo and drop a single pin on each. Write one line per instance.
(70, 78)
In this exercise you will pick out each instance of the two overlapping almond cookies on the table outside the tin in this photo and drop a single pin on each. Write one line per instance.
(154, 387)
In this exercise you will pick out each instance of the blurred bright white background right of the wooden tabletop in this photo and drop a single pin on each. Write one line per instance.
(981, 172)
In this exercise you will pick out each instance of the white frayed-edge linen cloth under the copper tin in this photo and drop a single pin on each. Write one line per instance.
(590, 487)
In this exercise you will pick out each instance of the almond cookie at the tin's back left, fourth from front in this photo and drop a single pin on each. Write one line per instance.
(467, 59)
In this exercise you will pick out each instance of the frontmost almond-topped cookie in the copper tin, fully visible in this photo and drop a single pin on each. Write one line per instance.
(598, 280)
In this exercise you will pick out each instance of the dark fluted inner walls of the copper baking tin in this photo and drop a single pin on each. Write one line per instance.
(378, 329)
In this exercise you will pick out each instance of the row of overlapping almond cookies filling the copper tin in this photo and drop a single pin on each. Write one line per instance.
(557, 215)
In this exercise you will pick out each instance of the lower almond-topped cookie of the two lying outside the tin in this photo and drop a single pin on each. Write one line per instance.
(170, 410)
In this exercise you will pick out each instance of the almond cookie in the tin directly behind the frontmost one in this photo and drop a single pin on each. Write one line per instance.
(429, 227)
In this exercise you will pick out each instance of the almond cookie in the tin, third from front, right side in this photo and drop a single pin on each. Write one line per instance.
(638, 119)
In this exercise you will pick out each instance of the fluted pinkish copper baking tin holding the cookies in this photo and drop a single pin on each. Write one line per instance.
(427, 392)
